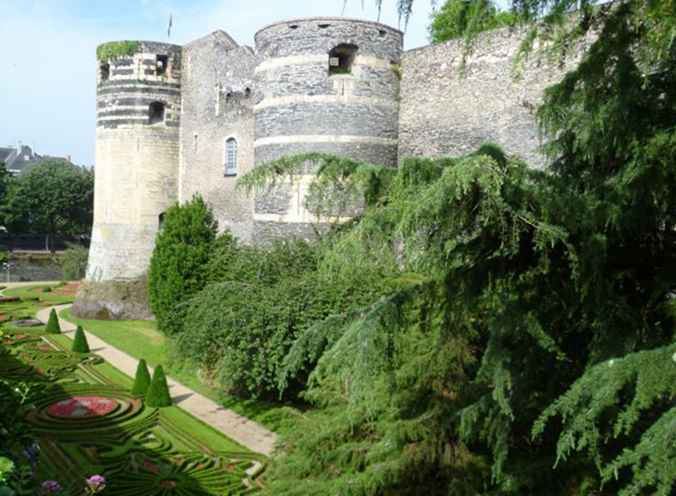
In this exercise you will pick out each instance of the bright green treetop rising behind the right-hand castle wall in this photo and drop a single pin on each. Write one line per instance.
(456, 18)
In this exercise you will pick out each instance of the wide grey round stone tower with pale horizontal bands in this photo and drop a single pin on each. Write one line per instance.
(328, 85)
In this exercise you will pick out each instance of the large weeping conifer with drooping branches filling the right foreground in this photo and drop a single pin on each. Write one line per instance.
(529, 345)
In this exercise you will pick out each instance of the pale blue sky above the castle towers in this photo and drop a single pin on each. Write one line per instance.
(47, 49)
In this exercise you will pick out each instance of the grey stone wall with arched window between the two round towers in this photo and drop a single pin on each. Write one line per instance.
(218, 100)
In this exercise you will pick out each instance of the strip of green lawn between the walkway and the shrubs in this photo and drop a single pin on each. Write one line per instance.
(141, 339)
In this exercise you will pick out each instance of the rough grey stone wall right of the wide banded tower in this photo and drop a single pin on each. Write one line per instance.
(447, 110)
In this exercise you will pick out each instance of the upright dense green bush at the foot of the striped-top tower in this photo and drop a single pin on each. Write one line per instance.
(178, 265)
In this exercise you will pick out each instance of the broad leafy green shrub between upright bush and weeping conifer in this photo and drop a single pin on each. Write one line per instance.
(243, 324)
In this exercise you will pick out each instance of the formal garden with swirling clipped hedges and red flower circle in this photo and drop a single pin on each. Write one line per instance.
(77, 418)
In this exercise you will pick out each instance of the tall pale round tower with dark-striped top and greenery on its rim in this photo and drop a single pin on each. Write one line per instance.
(137, 150)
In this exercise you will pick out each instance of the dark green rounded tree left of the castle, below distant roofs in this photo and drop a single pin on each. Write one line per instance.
(54, 197)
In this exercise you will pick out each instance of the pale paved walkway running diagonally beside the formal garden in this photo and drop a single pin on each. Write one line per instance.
(244, 431)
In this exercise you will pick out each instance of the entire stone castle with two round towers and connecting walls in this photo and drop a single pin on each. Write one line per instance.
(173, 121)
